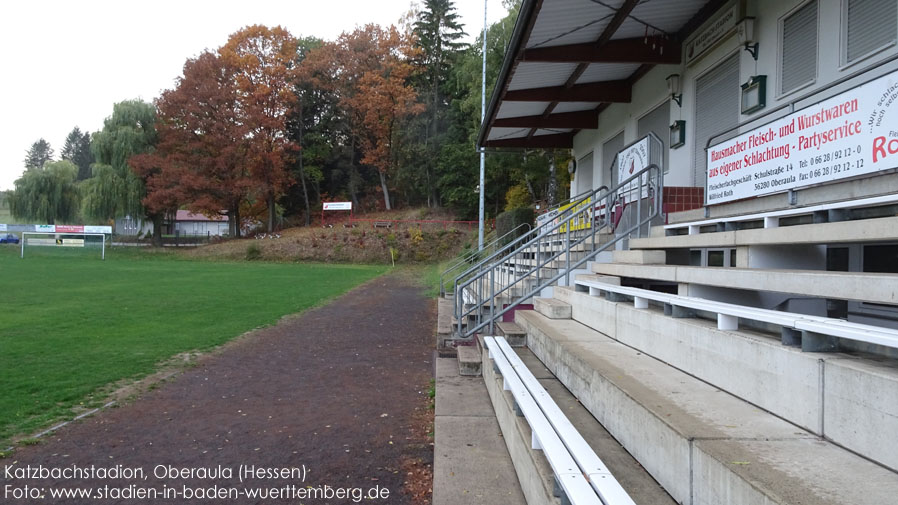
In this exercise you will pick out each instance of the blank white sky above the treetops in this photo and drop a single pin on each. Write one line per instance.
(66, 63)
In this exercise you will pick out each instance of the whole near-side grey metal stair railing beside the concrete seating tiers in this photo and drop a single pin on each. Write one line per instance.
(505, 274)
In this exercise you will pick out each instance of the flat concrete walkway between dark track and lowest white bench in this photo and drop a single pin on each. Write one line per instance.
(471, 463)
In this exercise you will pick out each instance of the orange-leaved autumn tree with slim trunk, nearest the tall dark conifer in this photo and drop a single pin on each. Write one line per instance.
(370, 70)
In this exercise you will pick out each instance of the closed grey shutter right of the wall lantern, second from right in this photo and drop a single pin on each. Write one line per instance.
(799, 56)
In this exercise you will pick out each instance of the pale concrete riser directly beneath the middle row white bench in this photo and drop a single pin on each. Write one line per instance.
(851, 399)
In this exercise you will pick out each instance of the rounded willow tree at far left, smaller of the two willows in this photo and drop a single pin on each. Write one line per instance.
(46, 194)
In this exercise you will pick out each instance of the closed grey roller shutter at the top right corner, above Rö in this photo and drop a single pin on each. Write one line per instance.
(871, 24)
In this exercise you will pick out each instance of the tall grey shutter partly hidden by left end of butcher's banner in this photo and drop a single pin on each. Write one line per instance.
(717, 96)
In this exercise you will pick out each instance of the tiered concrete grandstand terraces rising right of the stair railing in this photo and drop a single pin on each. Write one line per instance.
(716, 416)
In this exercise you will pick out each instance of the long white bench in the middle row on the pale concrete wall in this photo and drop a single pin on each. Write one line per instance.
(728, 315)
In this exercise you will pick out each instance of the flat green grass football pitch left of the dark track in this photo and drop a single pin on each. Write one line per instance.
(71, 325)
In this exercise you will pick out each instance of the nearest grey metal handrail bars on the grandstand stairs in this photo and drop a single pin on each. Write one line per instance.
(648, 186)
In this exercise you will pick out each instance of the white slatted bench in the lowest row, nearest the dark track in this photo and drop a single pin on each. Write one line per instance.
(579, 472)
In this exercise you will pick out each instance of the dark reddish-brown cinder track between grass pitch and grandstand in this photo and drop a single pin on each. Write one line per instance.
(337, 389)
